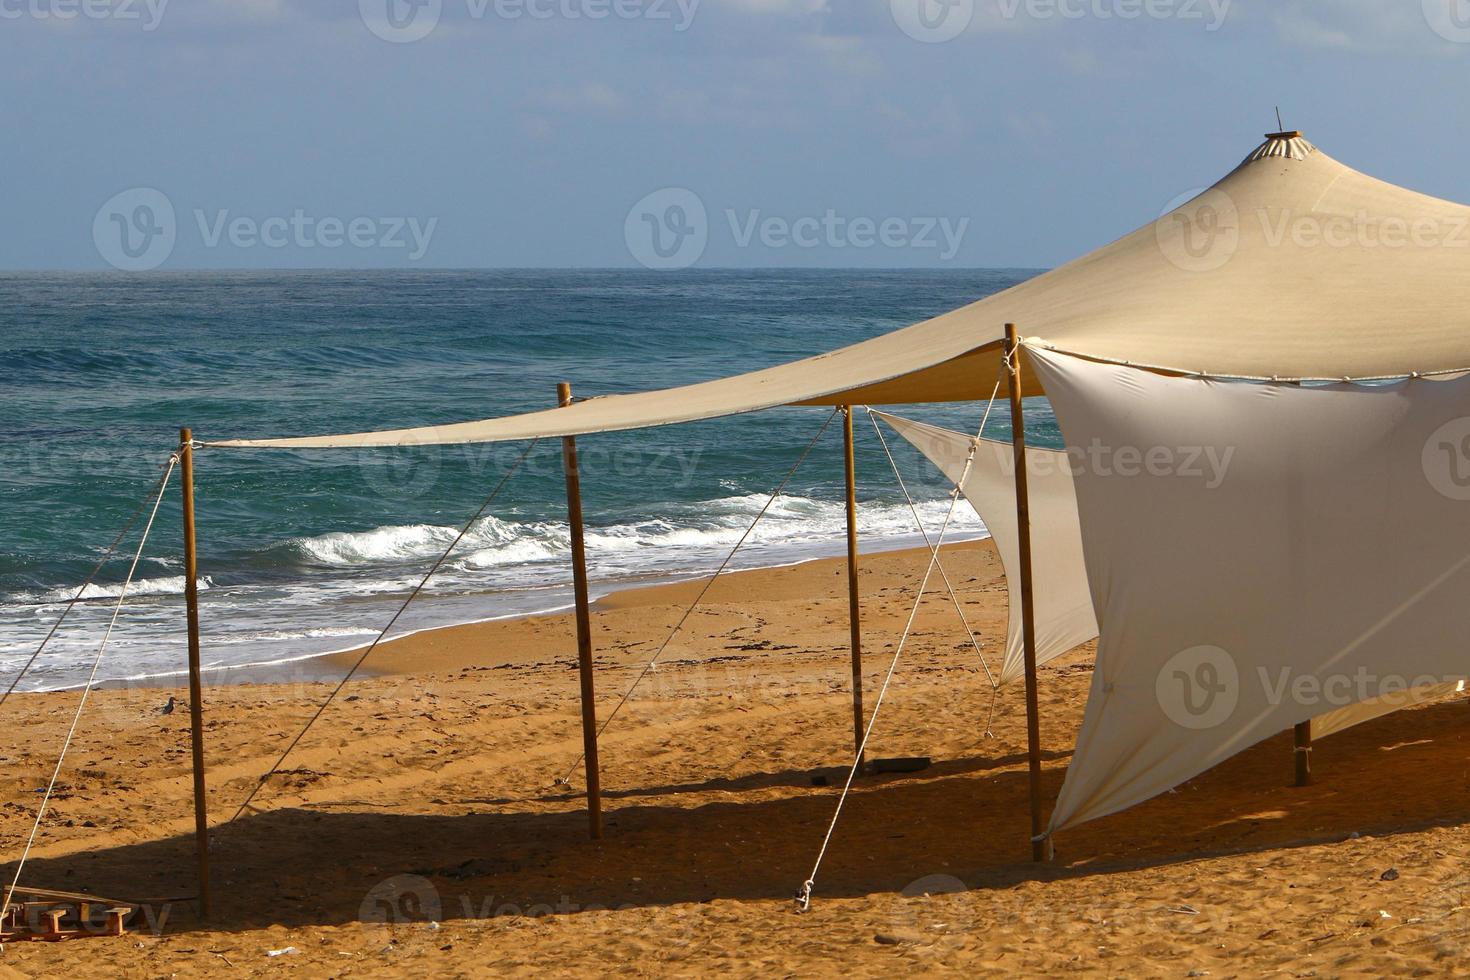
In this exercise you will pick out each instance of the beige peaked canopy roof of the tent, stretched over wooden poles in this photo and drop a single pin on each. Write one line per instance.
(1291, 267)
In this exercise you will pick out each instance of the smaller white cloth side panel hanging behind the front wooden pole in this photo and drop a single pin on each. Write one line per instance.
(1062, 603)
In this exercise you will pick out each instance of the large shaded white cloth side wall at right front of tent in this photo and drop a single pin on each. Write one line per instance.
(1258, 555)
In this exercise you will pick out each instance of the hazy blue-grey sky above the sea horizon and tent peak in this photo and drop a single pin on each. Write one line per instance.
(670, 134)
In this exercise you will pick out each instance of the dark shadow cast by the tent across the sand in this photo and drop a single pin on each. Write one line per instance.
(305, 866)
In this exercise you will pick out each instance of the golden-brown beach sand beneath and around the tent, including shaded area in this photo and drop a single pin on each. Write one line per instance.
(429, 793)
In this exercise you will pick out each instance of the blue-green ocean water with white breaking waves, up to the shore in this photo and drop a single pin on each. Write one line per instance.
(311, 552)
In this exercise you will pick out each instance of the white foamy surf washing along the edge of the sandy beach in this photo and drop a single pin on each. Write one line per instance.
(355, 581)
